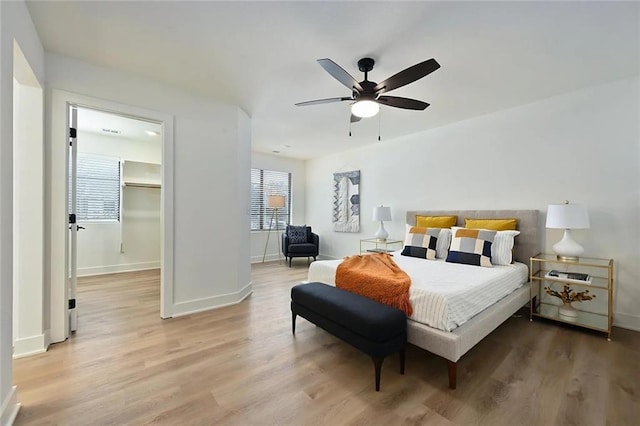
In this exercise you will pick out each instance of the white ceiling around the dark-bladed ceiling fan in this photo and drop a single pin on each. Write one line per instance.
(262, 56)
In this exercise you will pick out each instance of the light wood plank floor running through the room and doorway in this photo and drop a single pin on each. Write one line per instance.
(241, 365)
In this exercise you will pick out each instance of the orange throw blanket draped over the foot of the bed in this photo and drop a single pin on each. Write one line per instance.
(377, 277)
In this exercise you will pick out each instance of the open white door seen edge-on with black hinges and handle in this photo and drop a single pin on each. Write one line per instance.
(73, 226)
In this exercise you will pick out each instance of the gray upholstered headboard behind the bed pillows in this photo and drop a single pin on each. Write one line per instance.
(527, 244)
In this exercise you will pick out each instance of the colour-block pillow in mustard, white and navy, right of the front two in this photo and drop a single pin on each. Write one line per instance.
(471, 246)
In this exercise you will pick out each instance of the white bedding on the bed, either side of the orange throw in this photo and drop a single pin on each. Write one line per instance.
(444, 295)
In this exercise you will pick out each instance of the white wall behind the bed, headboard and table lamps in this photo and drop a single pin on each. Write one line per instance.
(582, 146)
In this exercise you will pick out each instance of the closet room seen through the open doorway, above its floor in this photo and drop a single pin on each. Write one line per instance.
(115, 180)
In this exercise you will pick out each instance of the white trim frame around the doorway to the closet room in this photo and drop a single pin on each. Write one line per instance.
(58, 221)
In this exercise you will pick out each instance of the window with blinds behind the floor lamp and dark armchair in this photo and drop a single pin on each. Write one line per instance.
(263, 184)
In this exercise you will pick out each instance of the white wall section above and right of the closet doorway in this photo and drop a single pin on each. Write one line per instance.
(208, 160)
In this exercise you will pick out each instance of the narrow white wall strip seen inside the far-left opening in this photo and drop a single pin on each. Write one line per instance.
(28, 226)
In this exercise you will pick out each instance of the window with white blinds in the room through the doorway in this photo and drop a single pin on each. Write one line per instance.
(98, 188)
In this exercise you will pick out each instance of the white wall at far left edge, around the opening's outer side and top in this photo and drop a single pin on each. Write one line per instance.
(15, 24)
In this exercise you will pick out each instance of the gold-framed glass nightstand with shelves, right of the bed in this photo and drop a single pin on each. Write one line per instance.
(589, 279)
